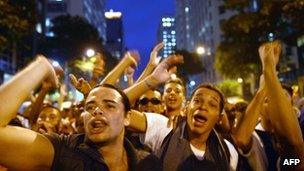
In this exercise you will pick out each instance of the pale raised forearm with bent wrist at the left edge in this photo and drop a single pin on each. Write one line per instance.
(14, 92)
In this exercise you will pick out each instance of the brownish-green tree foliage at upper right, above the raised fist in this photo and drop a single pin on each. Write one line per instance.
(237, 54)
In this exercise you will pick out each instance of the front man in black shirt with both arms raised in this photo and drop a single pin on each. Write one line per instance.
(102, 147)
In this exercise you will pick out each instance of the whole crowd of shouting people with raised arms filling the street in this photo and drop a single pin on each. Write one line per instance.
(143, 128)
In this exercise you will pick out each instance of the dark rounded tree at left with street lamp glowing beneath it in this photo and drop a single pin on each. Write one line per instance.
(73, 35)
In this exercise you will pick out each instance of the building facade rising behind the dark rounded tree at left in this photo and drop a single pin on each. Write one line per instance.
(91, 10)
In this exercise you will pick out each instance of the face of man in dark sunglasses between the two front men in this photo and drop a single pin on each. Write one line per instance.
(150, 102)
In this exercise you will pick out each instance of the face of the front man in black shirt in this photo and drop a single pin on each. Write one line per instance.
(104, 115)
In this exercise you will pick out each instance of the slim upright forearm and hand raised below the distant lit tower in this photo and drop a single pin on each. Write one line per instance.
(153, 62)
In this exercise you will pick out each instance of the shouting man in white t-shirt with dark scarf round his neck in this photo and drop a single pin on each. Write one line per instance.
(193, 144)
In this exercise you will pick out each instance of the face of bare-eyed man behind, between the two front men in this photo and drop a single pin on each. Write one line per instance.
(173, 96)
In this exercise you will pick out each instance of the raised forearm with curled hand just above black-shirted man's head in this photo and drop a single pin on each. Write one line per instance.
(130, 58)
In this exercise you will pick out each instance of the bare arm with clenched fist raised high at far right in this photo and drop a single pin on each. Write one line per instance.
(280, 111)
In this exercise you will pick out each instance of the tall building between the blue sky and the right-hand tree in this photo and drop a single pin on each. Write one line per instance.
(198, 26)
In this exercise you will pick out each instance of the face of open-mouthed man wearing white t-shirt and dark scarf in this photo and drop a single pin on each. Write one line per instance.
(203, 111)
